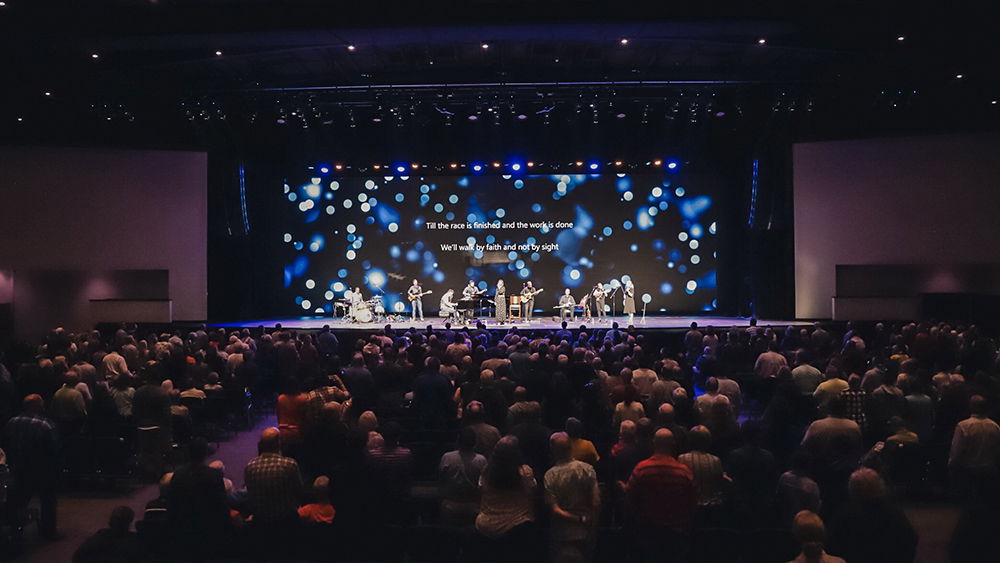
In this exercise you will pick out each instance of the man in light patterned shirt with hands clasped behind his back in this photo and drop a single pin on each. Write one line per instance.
(572, 495)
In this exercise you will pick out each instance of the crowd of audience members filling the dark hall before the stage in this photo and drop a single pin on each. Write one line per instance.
(756, 445)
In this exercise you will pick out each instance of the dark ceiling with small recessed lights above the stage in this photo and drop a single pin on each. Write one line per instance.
(145, 71)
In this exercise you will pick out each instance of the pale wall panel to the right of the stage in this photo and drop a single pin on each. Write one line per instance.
(931, 200)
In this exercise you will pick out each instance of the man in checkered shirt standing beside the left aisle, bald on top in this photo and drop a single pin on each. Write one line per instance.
(273, 482)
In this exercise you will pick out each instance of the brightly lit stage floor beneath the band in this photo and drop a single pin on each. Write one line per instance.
(537, 323)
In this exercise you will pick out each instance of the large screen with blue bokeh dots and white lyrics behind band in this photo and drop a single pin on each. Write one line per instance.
(567, 231)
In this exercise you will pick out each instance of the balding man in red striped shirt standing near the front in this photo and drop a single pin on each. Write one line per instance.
(661, 500)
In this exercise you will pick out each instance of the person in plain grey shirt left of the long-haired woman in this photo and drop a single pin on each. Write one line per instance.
(458, 473)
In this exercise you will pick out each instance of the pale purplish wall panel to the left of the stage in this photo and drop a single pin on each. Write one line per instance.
(83, 224)
